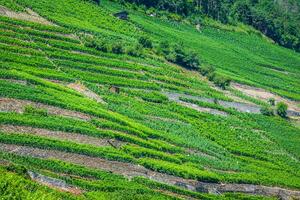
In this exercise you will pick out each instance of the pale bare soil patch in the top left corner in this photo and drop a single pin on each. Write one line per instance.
(29, 15)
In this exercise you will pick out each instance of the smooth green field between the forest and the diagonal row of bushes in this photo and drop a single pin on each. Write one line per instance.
(235, 54)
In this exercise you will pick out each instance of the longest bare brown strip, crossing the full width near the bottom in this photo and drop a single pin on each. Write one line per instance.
(131, 170)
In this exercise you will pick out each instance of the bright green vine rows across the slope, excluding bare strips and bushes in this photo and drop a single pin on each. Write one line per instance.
(159, 134)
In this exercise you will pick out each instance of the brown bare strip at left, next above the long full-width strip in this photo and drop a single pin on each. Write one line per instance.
(59, 135)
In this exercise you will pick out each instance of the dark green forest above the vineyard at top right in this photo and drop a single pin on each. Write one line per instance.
(278, 19)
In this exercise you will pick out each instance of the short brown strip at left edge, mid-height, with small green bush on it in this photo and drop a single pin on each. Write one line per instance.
(18, 106)
